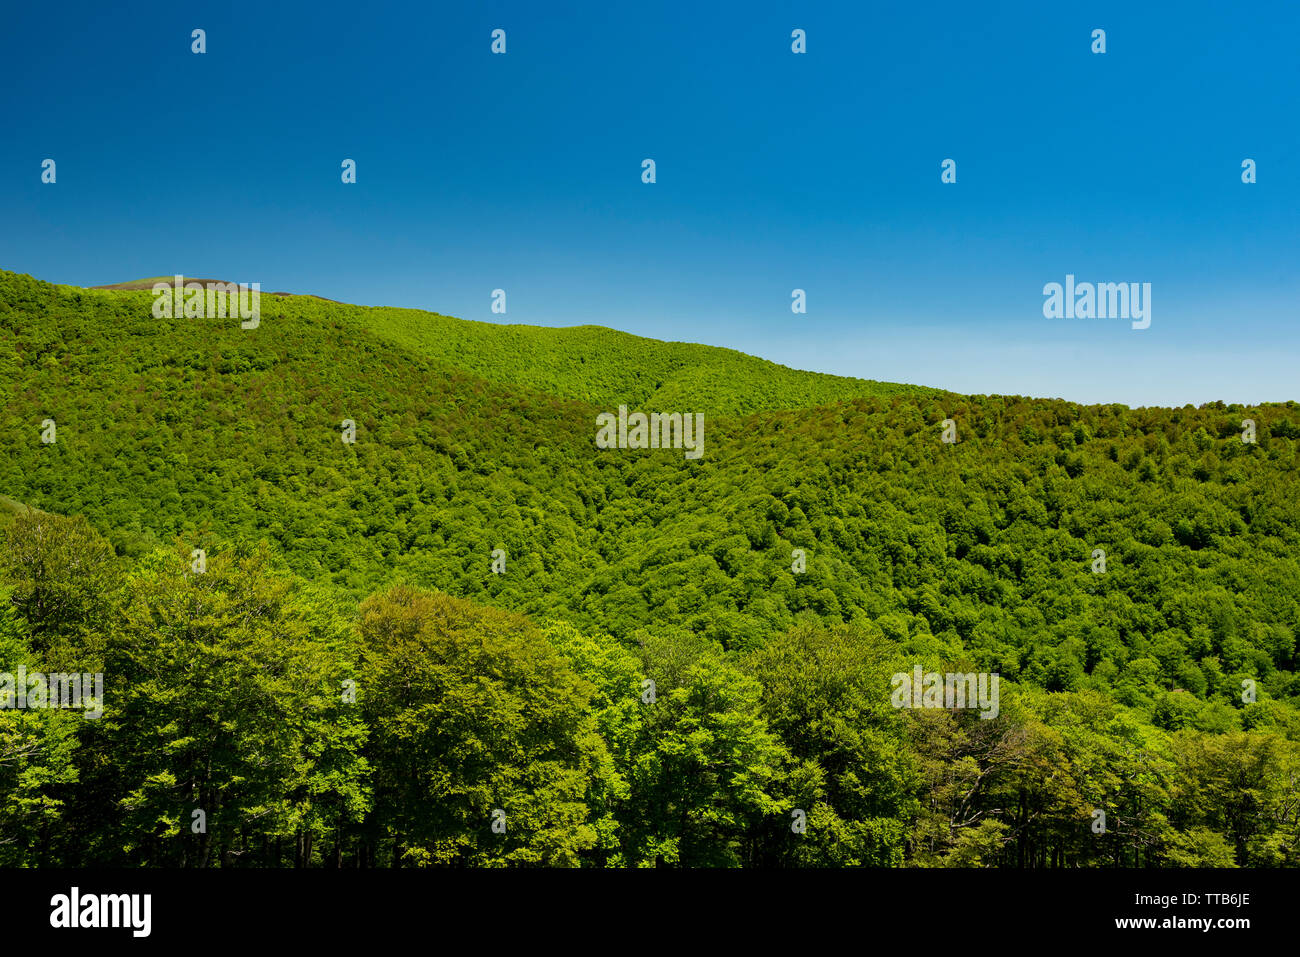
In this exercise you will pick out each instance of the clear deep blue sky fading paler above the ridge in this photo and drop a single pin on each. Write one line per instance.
(775, 171)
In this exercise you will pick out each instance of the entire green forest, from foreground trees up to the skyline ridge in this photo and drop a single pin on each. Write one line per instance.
(471, 638)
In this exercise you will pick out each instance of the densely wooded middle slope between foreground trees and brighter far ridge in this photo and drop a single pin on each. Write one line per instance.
(202, 431)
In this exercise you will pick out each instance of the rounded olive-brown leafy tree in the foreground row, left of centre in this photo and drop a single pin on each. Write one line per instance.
(483, 743)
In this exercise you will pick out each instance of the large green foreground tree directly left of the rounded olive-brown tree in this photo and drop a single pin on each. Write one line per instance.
(226, 698)
